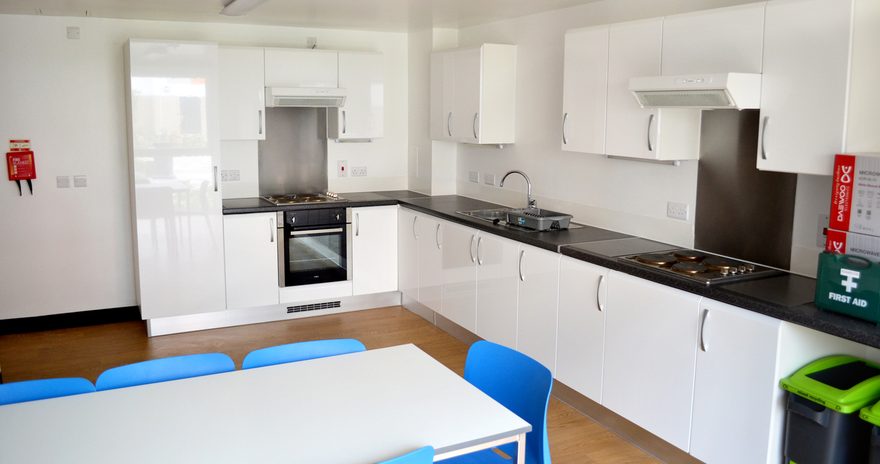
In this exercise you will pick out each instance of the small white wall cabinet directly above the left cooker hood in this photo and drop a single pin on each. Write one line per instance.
(291, 67)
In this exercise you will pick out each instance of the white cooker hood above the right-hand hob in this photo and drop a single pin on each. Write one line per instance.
(737, 91)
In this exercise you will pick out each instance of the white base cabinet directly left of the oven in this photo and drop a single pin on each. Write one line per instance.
(251, 248)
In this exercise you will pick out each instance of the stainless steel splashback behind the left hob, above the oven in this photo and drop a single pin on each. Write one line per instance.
(293, 158)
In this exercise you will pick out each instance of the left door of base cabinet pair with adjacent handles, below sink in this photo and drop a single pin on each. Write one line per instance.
(459, 301)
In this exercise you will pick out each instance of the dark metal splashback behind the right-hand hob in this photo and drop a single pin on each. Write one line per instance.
(741, 212)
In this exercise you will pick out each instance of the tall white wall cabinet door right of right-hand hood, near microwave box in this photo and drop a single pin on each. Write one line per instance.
(804, 85)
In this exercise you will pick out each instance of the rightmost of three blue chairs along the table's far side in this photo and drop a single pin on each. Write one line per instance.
(301, 351)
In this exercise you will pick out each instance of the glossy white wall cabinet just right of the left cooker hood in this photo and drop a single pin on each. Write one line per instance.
(362, 116)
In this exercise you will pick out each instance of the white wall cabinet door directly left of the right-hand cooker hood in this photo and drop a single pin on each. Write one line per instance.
(633, 50)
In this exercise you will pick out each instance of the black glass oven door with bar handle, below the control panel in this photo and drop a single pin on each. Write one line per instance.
(315, 255)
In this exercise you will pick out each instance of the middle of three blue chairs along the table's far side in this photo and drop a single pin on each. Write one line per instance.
(164, 369)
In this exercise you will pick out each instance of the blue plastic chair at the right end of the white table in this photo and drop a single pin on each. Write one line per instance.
(519, 383)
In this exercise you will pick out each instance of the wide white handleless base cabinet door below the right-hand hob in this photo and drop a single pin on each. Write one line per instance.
(650, 350)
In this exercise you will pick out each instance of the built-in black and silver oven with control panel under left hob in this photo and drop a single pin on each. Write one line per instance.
(315, 246)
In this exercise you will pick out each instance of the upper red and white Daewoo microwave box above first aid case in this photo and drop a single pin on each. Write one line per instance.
(855, 195)
